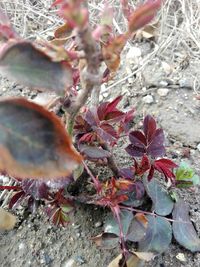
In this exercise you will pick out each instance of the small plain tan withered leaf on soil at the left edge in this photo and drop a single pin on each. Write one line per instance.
(7, 220)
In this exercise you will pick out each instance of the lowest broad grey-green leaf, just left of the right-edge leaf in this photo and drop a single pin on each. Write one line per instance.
(158, 235)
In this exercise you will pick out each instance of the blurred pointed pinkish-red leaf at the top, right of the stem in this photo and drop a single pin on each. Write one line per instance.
(143, 15)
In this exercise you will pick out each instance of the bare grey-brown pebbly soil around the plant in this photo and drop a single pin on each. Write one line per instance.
(36, 242)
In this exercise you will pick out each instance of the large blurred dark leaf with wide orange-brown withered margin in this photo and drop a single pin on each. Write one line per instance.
(34, 142)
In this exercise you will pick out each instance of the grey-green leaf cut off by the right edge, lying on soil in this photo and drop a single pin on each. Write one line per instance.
(183, 229)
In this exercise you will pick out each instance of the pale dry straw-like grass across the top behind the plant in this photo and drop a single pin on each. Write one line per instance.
(179, 34)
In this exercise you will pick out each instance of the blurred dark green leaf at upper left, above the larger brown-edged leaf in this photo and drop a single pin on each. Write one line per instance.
(27, 64)
